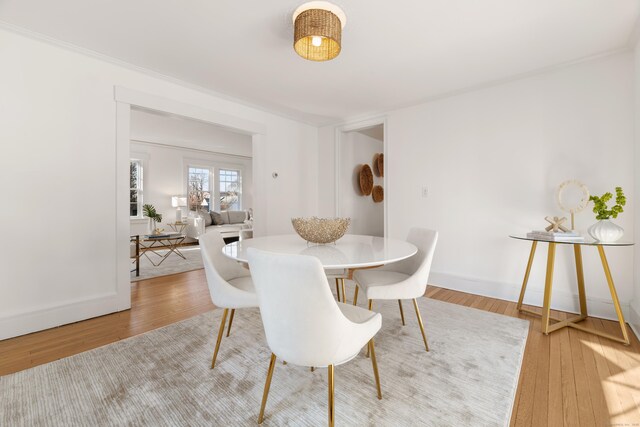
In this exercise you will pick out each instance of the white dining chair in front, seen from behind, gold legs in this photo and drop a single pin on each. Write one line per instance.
(303, 324)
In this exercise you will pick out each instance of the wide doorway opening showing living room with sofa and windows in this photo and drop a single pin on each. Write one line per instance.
(187, 170)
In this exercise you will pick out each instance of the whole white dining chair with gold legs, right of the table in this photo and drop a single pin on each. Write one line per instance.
(406, 279)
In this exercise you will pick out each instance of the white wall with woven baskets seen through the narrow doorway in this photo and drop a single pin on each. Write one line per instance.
(366, 216)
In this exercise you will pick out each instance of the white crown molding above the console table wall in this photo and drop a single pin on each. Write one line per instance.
(481, 86)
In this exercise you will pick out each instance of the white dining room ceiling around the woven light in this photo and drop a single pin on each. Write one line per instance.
(395, 53)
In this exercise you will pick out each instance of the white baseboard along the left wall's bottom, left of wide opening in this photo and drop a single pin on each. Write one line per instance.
(22, 323)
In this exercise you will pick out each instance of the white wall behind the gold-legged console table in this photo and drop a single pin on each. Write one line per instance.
(492, 159)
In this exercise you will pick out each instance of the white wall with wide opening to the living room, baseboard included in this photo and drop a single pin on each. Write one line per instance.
(58, 130)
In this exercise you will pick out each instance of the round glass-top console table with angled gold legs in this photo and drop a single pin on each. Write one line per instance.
(546, 304)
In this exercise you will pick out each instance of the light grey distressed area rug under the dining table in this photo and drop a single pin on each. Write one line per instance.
(468, 378)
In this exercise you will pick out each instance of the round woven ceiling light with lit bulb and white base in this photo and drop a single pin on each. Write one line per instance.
(318, 31)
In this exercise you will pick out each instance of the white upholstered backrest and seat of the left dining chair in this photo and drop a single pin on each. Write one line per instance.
(219, 270)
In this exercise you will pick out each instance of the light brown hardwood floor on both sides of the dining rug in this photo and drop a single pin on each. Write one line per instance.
(569, 378)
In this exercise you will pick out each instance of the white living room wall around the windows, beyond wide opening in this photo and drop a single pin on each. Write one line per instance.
(165, 176)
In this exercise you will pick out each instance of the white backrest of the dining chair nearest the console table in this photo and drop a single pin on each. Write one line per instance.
(419, 265)
